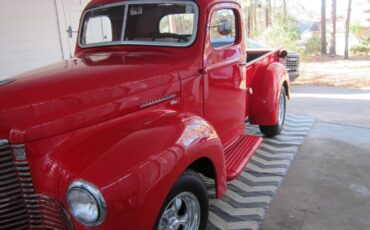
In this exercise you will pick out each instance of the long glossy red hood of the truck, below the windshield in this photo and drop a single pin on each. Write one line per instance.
(84, 91)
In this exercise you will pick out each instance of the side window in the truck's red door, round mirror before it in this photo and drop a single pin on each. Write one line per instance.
(223, 28)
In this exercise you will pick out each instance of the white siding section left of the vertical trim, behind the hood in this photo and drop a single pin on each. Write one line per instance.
(29, 36)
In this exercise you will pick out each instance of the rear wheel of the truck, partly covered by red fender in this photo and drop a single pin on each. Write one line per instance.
(271, 131)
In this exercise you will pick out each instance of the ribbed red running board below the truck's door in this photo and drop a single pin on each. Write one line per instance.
(238, 155)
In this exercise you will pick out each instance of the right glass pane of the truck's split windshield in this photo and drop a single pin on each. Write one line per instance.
(167, 23)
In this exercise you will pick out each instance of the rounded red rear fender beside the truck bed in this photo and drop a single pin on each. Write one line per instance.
(267, 86)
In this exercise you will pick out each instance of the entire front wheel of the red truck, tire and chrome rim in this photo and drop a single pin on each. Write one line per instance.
(186, 206)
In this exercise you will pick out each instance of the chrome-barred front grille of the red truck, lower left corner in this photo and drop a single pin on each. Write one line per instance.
(20, 207)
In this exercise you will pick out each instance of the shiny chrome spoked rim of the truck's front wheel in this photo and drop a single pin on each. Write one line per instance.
(182, 213)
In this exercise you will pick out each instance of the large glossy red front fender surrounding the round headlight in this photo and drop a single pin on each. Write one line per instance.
(133, 160)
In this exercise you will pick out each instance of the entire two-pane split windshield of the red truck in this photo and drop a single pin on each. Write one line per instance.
(140, 23)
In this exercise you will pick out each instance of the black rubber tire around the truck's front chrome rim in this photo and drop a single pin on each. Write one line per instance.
(188, 183)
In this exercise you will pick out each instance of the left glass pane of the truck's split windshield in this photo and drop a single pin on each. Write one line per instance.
(102, 25)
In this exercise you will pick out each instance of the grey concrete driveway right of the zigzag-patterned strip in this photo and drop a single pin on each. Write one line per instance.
(328, 184)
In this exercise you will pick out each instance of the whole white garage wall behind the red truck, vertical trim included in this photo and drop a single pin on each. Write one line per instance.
(33, 33)
